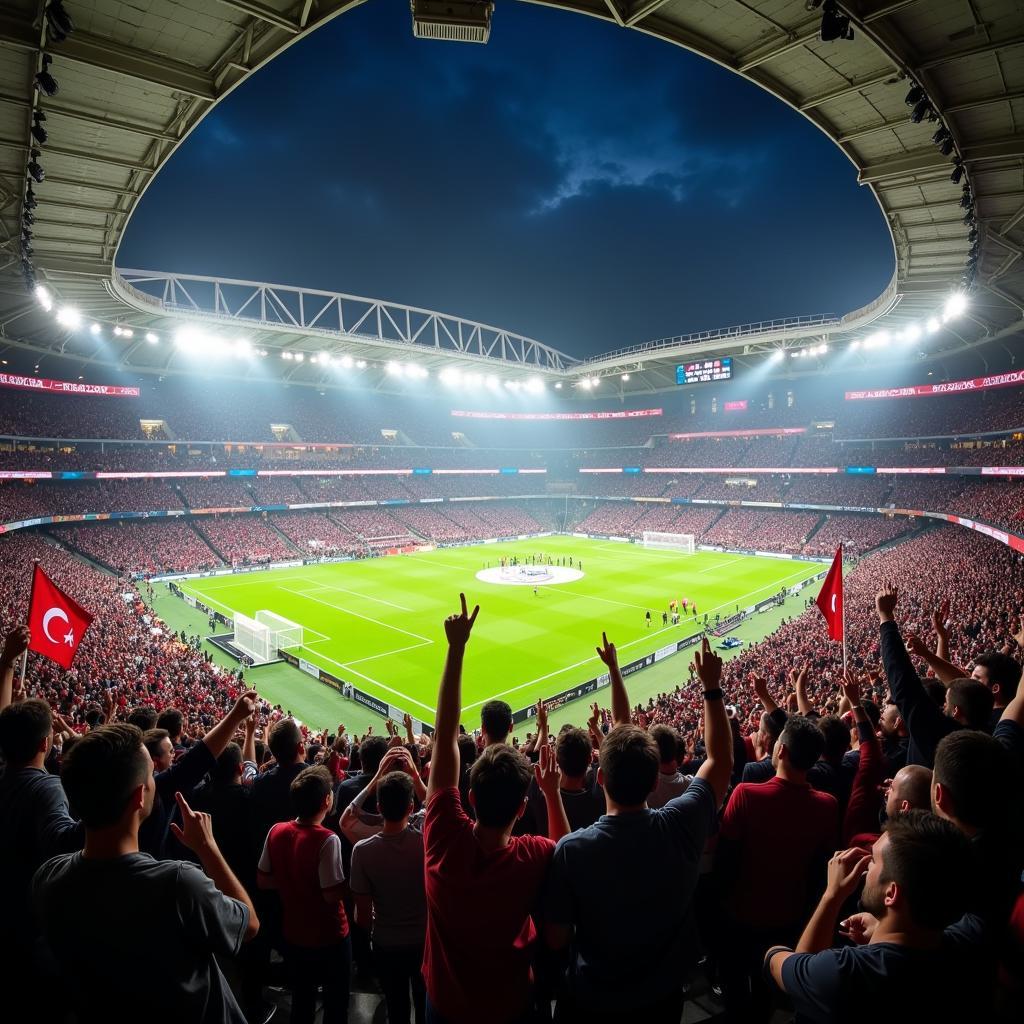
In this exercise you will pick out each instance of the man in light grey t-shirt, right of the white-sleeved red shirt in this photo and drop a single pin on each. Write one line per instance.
(388, 885)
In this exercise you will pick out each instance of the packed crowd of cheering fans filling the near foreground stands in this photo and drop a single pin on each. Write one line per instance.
(840, 844)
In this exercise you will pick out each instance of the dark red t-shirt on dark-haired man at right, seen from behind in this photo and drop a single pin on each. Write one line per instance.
(786, 831)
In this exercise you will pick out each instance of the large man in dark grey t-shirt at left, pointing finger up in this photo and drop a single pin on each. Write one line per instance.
(90, 904)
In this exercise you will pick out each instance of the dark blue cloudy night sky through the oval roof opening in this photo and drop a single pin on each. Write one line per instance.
(580, 184)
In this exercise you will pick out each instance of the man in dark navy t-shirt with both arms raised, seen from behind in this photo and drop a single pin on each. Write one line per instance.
(609, 978)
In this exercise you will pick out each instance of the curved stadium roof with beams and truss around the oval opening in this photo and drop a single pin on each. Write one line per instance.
(136, 79)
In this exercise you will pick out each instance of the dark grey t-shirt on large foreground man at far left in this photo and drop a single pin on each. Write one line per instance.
(138, 936)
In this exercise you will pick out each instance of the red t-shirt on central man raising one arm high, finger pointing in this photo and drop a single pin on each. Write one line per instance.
(480, 930)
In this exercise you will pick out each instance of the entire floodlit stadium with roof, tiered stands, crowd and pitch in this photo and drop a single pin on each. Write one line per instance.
(267, 499)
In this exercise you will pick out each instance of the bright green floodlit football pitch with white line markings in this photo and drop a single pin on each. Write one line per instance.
(378, 624)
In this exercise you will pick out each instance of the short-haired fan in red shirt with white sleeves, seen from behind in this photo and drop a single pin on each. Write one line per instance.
(303, 861)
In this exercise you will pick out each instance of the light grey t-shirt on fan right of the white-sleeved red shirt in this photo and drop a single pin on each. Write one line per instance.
(390, 869)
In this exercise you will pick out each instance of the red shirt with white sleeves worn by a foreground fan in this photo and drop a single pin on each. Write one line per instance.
(305, 861)
